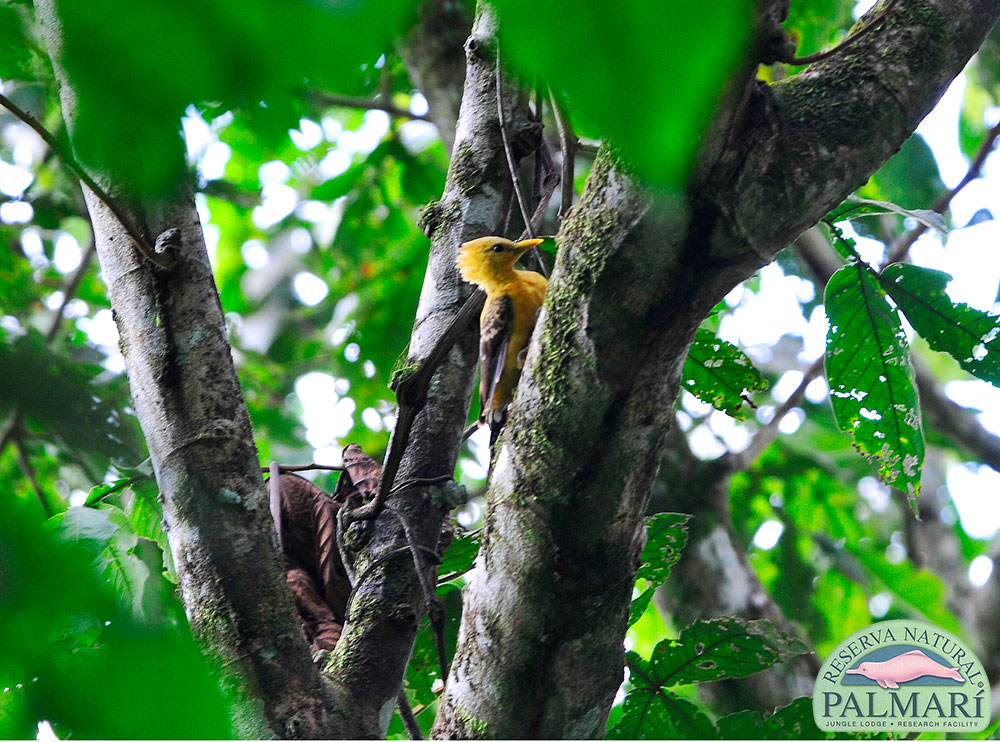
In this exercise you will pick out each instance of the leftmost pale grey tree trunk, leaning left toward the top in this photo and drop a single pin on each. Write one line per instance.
(191, 409)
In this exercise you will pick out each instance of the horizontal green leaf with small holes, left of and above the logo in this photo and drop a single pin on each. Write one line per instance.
(718, 649)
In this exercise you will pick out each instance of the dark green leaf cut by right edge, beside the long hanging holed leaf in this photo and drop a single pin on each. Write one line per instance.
(968, 335)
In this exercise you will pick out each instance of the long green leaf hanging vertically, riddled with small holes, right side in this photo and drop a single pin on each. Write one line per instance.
(871, 378)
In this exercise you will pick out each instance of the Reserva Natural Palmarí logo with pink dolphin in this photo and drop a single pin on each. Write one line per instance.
(902, 676)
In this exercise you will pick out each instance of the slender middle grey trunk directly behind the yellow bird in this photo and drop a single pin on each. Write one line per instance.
(373, 651)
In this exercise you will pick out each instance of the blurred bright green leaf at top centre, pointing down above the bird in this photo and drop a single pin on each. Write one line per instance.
(620, 69)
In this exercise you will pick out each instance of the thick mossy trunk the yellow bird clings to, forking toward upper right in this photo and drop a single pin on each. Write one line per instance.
(540, 645)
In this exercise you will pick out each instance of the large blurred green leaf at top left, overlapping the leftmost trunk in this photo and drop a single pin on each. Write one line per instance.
(135, 67)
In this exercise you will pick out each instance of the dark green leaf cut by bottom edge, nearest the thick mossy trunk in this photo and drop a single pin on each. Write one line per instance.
(649, 712)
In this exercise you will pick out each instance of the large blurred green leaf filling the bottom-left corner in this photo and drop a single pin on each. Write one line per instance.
(72, 654)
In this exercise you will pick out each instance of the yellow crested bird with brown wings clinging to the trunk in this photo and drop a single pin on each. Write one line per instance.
(513, 298)
